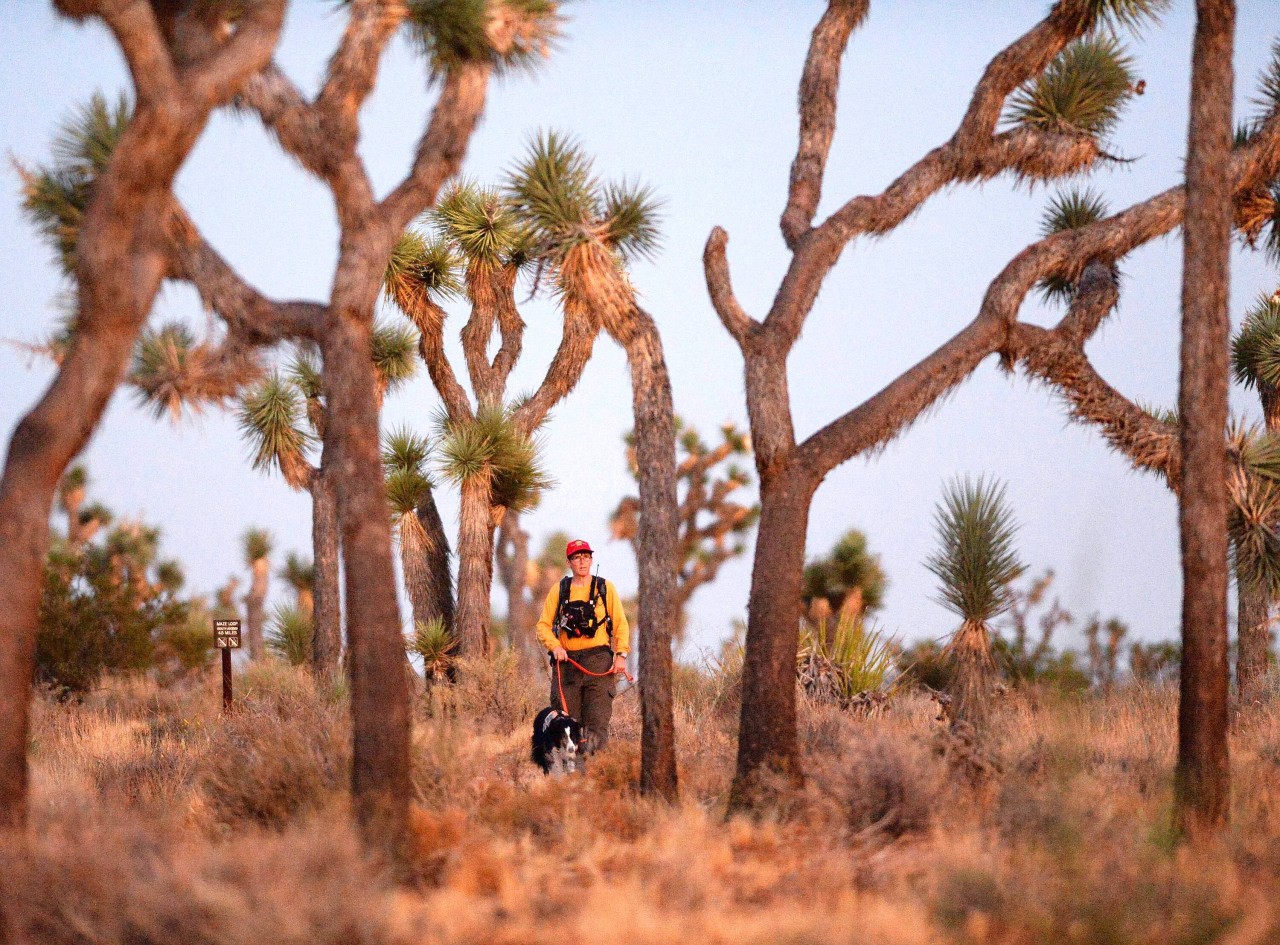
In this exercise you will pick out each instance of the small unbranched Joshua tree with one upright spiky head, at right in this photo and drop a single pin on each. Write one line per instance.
(976, 565)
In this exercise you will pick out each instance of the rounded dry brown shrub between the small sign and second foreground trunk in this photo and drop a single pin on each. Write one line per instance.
(282, 754)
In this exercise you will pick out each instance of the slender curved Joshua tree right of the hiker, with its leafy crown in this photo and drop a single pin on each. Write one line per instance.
(589, 231)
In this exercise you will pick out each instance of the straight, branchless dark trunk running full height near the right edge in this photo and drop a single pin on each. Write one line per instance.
(1204, 773)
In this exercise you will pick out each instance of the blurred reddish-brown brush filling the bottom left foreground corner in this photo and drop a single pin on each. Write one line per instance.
(97, 876)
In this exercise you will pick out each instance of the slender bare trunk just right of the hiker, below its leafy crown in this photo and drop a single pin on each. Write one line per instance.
(657, 554)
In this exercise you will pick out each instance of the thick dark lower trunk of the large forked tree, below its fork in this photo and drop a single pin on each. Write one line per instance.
(767, 729)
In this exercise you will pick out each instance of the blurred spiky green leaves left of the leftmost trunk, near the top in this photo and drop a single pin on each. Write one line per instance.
(57, 197)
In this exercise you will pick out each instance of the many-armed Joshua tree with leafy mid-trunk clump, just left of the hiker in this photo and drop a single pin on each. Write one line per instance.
(478, 250)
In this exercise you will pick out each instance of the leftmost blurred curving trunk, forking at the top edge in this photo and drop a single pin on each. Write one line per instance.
(121, 262)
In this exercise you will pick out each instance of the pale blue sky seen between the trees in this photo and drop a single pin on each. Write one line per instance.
(700, 102)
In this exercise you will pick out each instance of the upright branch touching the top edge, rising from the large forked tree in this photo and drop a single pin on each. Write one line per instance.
(819, 92)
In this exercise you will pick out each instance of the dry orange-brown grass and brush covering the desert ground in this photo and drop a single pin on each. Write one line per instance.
(159, 821)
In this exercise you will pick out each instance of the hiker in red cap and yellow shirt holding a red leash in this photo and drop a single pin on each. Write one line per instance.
(586, 632)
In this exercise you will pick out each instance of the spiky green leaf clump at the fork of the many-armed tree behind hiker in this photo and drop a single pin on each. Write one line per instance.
(491, 449)
